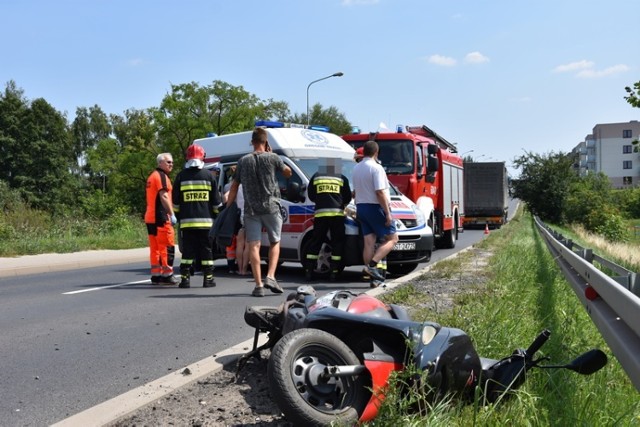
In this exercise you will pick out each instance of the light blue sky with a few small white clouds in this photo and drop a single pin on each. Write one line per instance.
(498, 78)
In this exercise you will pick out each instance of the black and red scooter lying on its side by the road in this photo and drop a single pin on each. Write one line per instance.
(332, 356)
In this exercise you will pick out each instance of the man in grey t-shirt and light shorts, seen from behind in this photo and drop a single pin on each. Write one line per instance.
(256, 172)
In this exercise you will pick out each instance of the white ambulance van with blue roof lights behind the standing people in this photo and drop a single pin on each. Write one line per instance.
(301, 148)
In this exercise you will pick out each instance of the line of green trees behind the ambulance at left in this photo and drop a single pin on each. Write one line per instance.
(98, 163)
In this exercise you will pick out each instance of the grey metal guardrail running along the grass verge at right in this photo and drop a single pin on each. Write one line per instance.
(614, 307)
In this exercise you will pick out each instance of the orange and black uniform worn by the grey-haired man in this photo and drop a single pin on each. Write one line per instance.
(159, 229)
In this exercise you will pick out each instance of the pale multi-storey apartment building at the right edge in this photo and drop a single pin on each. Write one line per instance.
(610, 150)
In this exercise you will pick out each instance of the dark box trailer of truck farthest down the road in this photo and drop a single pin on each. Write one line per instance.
(486, 194)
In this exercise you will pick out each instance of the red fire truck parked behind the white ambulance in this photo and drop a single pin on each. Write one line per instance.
(427, 169)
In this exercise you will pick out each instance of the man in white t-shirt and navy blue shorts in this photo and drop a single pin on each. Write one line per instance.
(371, 188)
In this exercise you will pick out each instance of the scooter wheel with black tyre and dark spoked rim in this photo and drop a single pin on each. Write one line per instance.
(303, 392)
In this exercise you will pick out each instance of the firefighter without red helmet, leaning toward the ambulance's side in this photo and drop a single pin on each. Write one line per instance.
(331, 193)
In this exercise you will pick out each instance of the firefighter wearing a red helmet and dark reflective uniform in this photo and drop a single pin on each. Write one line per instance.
(196, 199)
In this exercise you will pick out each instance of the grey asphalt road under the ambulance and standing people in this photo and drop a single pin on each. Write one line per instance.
(73, 339)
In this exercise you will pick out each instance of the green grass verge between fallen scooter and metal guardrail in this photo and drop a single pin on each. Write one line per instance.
(518, 294)
